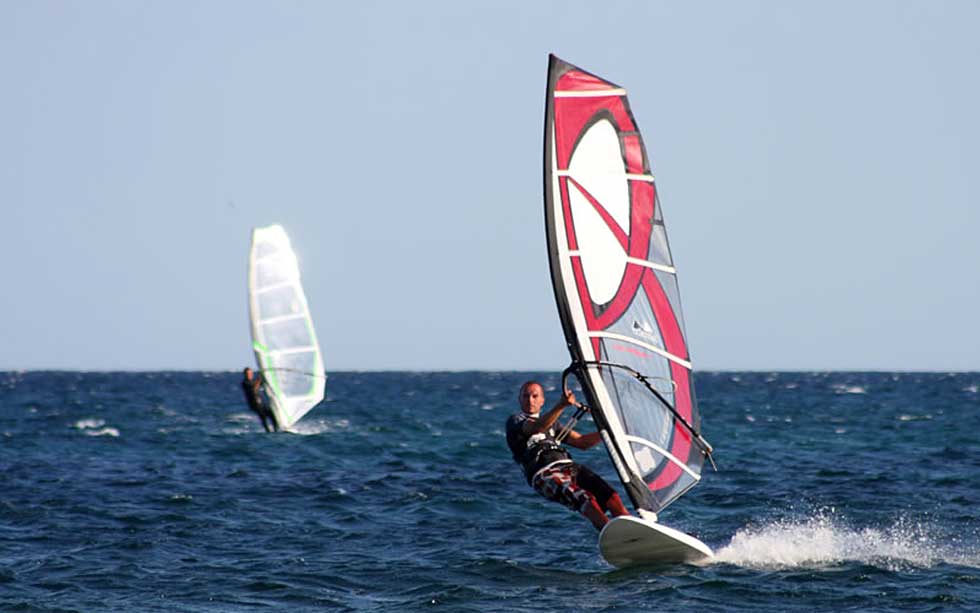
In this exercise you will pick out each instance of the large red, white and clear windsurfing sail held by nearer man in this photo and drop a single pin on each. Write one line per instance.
(616, 285)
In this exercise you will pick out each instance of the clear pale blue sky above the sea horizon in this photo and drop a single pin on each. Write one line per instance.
(817, 164)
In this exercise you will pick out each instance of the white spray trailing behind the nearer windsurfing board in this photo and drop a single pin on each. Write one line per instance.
(823, 541)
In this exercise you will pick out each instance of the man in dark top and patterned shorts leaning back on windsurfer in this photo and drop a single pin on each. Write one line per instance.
(549, 468)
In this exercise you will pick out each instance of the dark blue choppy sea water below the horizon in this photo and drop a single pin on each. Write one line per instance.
(159, 491)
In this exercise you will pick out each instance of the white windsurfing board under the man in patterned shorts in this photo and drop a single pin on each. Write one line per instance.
(628, 541)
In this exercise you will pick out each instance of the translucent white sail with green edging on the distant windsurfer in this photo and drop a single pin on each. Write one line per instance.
(283, 338)
